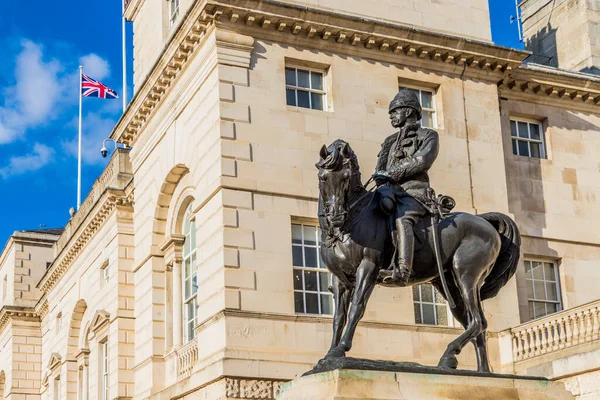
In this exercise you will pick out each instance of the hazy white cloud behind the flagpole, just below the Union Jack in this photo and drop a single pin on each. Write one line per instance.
(95, 128)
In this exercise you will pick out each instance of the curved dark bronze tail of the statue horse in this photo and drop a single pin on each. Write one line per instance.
(508, 258)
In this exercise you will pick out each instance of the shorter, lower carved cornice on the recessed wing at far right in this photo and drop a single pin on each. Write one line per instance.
(531, 81)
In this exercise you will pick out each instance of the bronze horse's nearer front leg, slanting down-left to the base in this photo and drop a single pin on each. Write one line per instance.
(366, 277)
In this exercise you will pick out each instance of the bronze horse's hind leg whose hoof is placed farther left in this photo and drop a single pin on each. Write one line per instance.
(469, 278)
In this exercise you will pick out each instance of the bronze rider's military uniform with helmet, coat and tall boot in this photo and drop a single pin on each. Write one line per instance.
(406, 157)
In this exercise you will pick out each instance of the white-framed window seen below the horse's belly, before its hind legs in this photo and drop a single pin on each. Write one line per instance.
(430, 307)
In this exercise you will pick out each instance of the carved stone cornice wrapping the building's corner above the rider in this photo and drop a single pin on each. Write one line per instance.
(287, 22)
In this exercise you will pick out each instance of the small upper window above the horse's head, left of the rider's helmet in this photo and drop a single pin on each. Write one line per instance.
(305, 88)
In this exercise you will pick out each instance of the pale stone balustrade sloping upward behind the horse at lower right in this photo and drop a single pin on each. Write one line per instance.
(556, 331)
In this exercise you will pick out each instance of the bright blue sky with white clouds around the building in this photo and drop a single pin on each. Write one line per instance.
(40, 55)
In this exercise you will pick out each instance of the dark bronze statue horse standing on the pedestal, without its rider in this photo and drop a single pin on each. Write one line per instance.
(479, 254)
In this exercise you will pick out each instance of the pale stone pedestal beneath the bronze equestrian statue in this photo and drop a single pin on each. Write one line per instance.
(381, 385)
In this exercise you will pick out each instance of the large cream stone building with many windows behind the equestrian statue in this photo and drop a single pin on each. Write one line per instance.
(191, 269)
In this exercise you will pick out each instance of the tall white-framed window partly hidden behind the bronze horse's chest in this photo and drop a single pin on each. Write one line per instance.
(311, 278)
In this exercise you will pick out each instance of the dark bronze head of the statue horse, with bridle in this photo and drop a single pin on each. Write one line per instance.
(339, 177)
